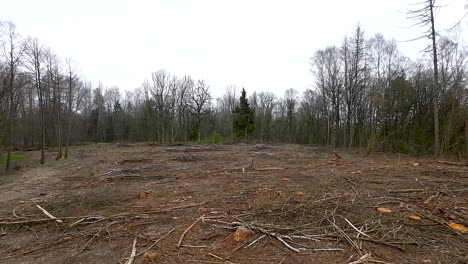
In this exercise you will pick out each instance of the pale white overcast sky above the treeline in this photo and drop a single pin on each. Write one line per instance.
(263, 45)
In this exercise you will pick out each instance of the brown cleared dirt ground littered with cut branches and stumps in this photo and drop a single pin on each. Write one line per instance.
(233, 204)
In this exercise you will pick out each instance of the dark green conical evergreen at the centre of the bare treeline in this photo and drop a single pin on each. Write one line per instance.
(244, 118)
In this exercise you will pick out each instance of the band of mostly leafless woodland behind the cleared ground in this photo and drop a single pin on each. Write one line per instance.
(367, 94)
